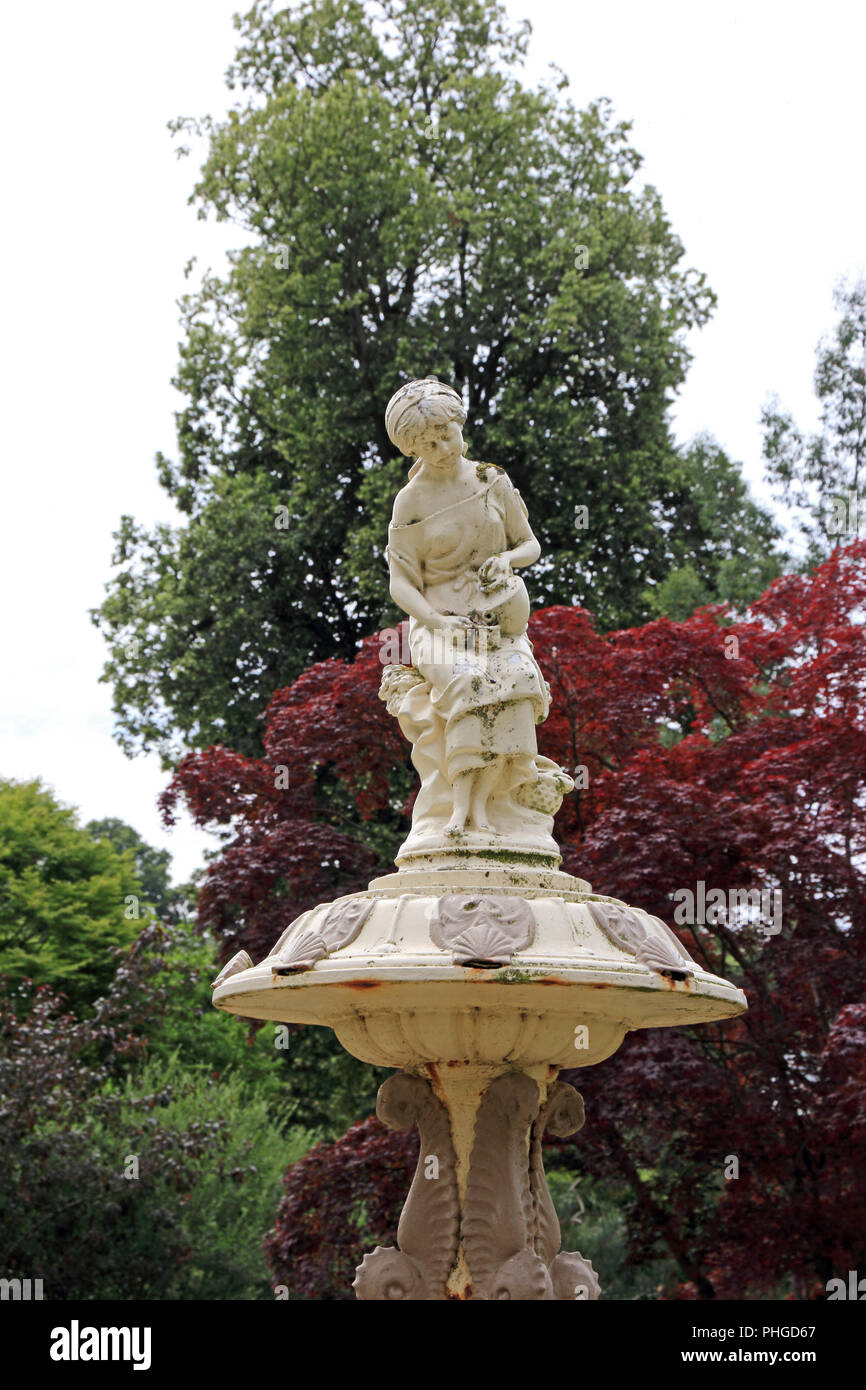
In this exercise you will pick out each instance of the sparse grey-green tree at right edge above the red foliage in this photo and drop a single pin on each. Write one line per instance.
(825, 475)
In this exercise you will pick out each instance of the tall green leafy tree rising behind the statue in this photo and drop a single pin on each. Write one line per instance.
(412, 208)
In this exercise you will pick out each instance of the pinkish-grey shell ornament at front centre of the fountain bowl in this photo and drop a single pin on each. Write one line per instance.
(483, 932)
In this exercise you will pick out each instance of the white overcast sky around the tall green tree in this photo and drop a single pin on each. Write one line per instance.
(751, 122)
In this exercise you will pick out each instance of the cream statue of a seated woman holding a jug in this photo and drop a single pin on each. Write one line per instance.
(475, 693)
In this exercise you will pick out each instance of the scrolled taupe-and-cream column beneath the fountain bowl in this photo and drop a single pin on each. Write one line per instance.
(479, 1223)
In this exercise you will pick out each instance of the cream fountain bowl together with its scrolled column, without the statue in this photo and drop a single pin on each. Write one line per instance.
(479, 986)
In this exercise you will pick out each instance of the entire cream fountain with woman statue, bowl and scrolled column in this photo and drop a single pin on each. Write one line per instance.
(479, 970)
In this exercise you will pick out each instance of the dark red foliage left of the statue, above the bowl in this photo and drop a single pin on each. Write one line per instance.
(284, 857)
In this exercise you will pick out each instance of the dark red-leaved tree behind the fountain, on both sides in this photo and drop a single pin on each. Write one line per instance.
(728, 750)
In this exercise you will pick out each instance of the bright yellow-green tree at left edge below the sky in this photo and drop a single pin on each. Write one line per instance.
(67, 901)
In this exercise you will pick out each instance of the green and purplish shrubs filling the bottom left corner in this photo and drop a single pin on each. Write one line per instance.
(129, 1179)
